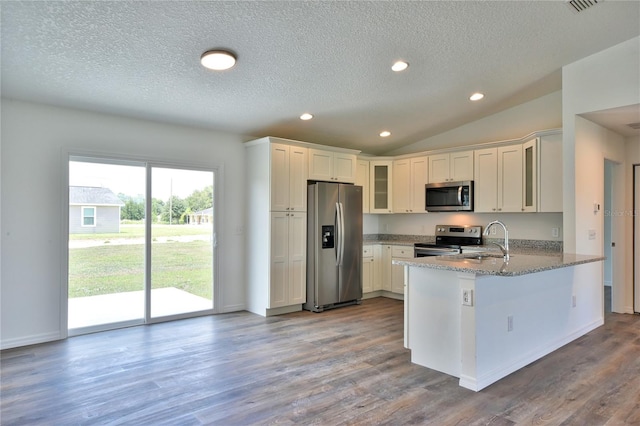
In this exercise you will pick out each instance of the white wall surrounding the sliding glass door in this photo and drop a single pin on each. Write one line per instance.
(34, 139)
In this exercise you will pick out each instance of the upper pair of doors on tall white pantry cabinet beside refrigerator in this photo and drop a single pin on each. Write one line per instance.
(288, 178)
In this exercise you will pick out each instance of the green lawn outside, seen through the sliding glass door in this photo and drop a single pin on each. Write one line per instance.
(109, 269)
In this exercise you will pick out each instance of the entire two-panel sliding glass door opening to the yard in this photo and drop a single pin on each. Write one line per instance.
(141, 243)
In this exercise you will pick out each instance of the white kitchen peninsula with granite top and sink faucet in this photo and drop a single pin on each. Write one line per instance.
(480, 318)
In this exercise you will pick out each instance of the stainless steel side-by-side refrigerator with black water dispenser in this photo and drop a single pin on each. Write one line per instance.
(334, 245)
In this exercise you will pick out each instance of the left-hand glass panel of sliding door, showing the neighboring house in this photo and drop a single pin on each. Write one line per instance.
(106, 245)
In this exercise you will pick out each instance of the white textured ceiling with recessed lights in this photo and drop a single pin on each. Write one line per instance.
(332, 59)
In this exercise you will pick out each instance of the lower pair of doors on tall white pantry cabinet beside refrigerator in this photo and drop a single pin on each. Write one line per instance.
(288, 259)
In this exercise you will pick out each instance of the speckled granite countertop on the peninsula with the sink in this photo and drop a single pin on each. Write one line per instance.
(492, 264)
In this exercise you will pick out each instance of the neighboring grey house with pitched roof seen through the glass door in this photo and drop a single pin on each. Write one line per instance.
(93, 210)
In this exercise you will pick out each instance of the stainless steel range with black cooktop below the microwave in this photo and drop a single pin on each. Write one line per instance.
(449, 240)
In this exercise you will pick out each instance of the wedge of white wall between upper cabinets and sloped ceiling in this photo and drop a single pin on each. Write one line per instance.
(539, 114)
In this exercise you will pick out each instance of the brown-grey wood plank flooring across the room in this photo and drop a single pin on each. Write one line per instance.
(345, 366)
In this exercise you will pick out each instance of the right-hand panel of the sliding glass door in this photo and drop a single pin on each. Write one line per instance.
(182, 242)
